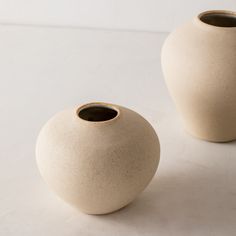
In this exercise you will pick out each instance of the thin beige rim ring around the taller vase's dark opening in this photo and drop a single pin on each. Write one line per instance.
(223, 12)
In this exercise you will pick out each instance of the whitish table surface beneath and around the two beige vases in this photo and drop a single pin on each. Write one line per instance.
(44, 70)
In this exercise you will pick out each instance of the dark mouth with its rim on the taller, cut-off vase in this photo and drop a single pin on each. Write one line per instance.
(218, 18)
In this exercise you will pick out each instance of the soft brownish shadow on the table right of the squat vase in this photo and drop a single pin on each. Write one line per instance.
(198, 201)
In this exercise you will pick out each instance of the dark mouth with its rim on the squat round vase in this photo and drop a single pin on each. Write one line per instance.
(98, 112)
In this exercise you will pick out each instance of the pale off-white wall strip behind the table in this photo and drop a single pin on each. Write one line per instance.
(148, 15)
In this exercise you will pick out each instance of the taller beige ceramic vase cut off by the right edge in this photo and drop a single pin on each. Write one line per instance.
(199, 65)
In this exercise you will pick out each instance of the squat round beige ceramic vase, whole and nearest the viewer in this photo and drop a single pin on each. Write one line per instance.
(98, 157)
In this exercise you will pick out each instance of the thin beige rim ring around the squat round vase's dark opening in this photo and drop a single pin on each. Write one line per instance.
(98, 104)
